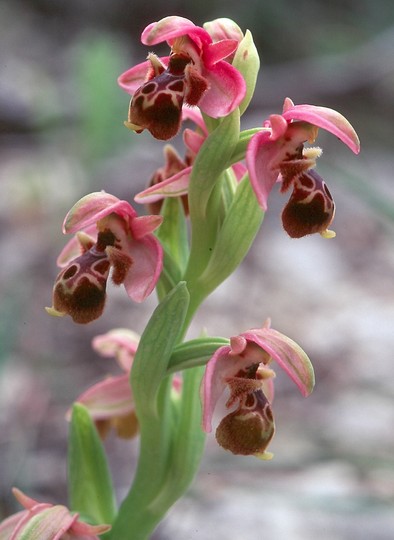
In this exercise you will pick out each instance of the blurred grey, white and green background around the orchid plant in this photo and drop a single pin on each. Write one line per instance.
(62, 136)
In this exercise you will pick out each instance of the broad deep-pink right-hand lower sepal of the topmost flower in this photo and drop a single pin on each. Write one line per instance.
(226, 90)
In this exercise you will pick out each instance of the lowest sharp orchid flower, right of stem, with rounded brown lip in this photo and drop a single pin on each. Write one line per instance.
(244, 367)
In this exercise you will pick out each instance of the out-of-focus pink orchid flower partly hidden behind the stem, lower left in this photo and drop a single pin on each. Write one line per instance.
(110, 402)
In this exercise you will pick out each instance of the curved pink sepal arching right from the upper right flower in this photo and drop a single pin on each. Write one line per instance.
(327, 119)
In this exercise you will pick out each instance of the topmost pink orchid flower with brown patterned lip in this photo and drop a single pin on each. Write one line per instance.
(195, 73)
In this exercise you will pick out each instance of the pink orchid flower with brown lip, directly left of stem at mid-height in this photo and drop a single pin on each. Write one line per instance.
(110, 235)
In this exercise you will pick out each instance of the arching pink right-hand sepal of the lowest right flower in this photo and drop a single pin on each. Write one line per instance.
(288, 354)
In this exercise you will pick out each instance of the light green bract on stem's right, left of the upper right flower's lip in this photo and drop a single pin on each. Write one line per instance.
(236, 235)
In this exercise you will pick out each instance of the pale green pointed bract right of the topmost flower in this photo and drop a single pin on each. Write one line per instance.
(247, 62)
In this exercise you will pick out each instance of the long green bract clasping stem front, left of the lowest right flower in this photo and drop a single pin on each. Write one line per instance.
(154, 350)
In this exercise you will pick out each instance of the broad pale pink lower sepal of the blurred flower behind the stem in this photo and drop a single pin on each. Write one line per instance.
(108, 398)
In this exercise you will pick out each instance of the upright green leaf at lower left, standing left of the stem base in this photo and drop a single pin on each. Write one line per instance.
(90, 484)
